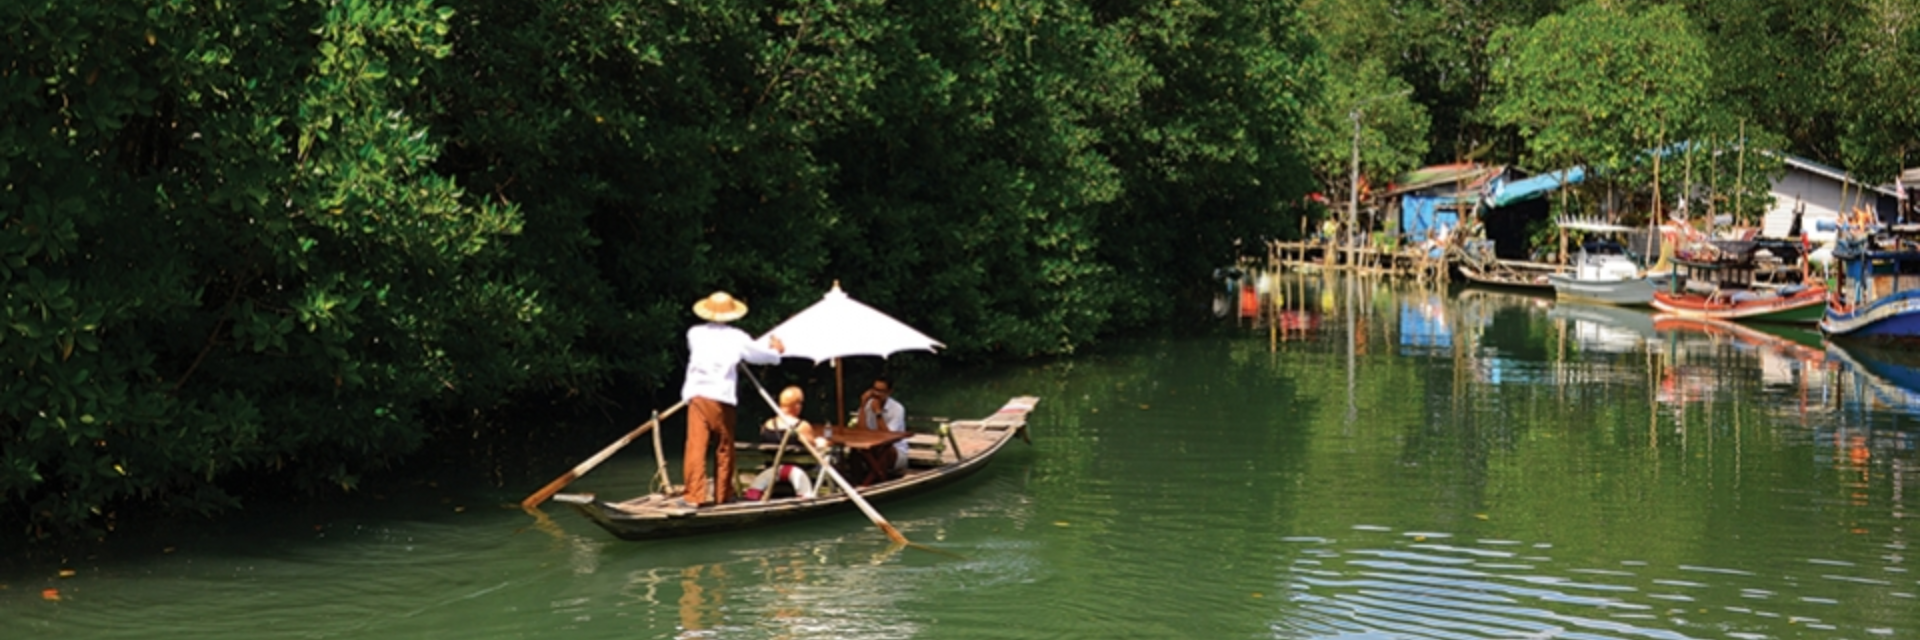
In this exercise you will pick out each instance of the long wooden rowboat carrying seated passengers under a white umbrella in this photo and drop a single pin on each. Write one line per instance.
(660, 516)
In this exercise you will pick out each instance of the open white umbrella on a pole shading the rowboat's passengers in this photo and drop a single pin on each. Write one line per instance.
(838, 328)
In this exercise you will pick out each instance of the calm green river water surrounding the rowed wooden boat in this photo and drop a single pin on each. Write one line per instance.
(1360, 460)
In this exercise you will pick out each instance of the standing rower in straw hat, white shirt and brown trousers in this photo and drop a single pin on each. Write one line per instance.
(713, 351)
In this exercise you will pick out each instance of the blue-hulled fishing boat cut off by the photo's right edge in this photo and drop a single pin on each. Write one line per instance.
(1879, 287)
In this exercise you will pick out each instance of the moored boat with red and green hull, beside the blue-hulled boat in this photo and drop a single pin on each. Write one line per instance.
(1727, 291)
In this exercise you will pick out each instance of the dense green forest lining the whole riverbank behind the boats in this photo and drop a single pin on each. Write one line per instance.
(297, 241)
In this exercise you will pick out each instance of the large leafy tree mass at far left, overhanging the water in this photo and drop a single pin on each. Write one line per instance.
(228, 253)
